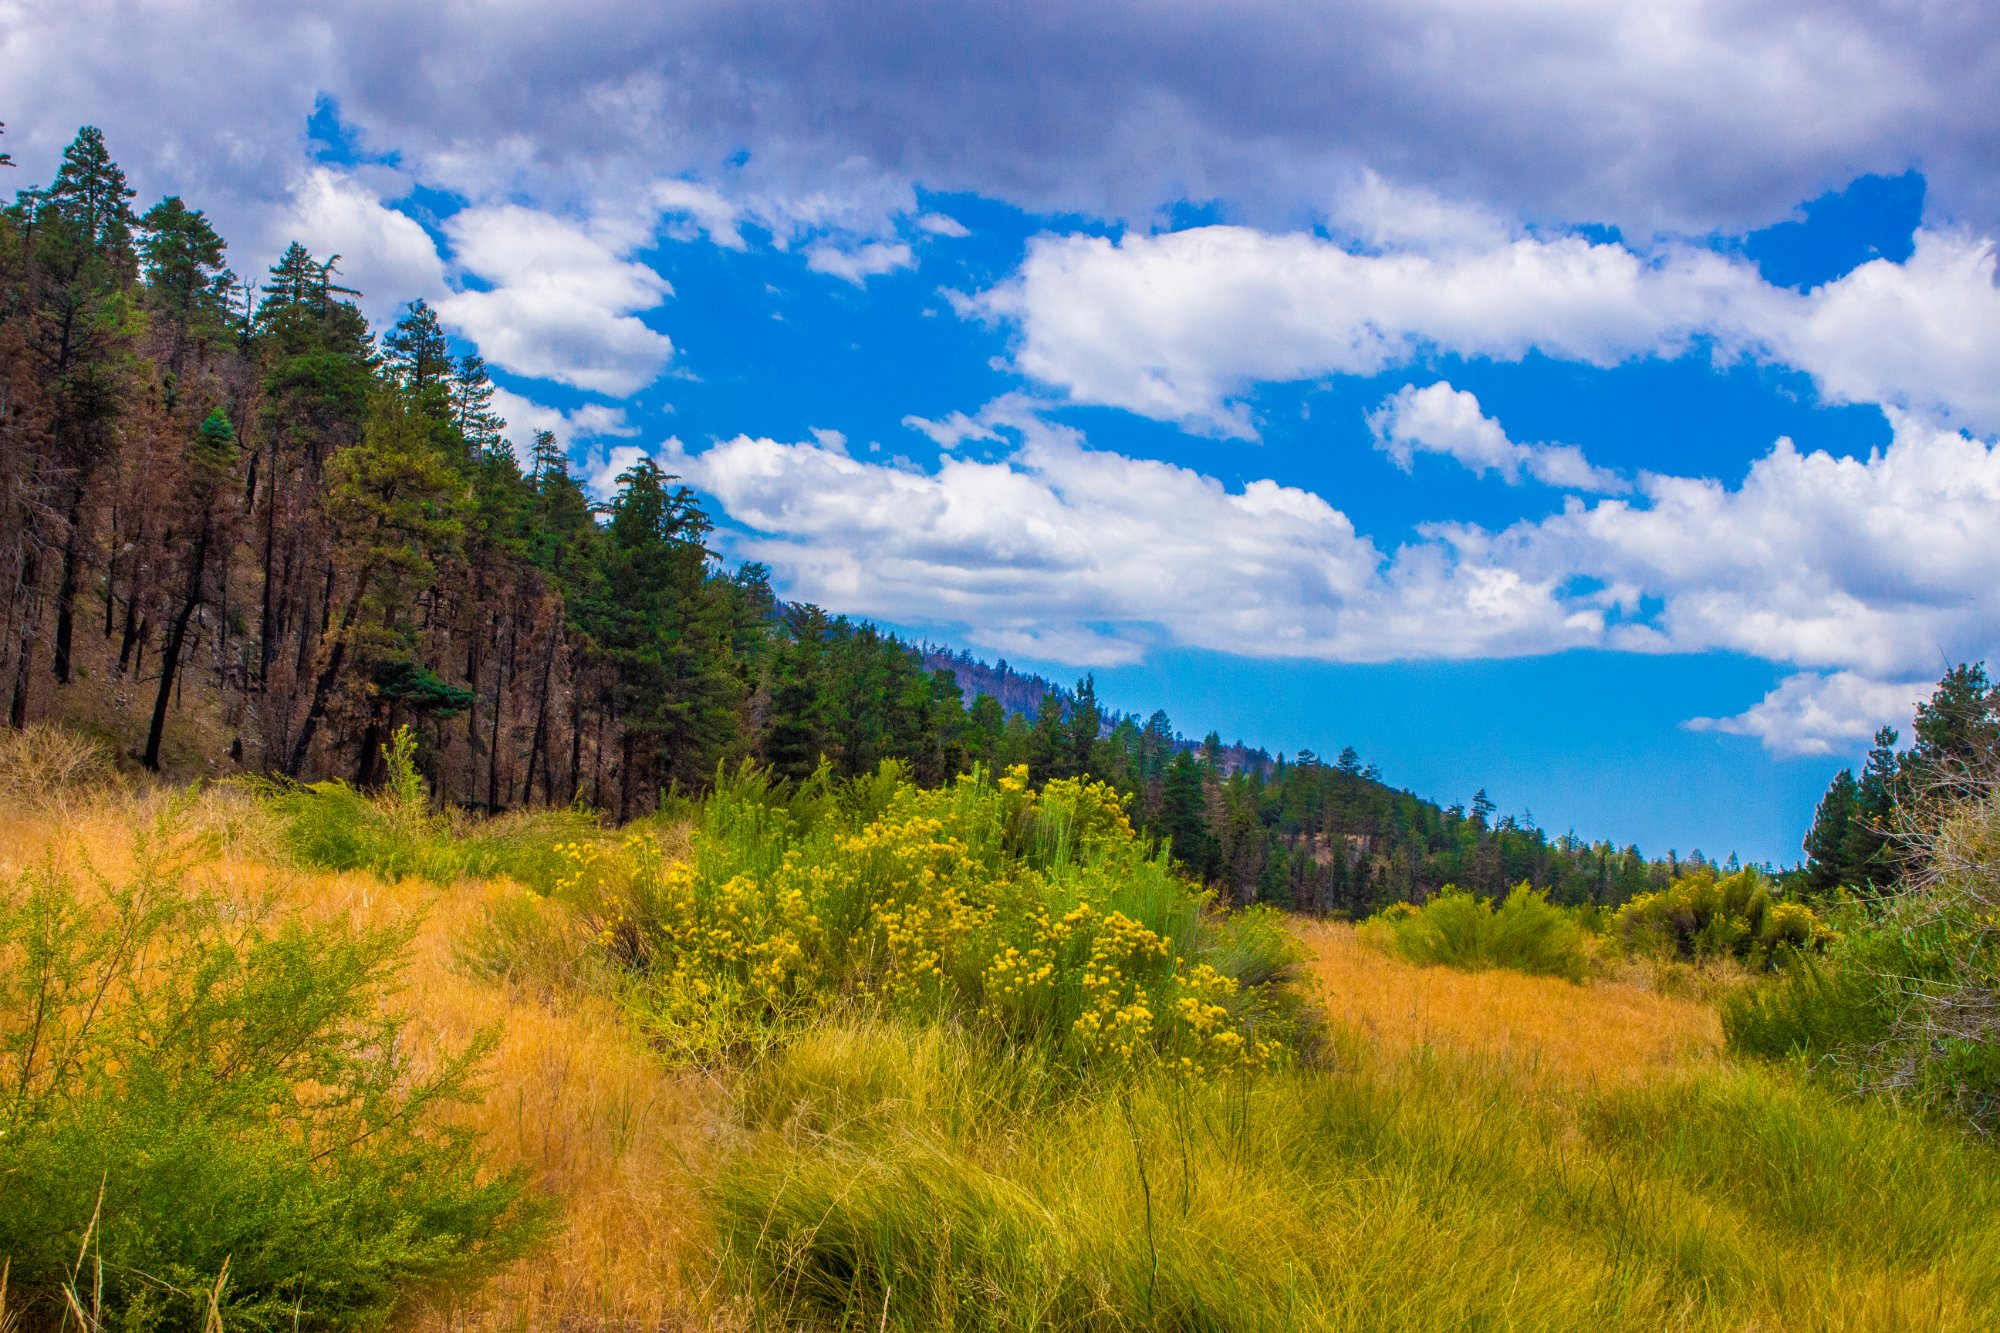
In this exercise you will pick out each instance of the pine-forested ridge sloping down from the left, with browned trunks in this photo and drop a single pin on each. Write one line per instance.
(249, 533)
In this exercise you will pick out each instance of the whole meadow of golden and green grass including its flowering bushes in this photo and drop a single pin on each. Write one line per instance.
(859, 1056)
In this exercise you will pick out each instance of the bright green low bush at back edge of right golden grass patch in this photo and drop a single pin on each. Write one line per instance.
(1525, 934)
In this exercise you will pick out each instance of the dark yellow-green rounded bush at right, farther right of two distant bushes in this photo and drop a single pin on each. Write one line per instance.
(1707, 918)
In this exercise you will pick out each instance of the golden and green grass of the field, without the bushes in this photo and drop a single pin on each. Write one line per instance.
(1459, 1150)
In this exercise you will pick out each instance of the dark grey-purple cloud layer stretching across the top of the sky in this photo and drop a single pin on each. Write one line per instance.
(1657, 119)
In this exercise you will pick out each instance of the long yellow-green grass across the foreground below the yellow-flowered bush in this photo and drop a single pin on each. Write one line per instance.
(915, 1178)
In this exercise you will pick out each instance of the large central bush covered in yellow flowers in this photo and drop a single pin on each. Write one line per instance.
(1037, 916)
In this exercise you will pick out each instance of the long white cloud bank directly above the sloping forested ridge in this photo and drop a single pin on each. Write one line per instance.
(1099, 555)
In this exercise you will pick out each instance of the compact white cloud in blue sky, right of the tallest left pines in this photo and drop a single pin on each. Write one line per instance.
(563, 301)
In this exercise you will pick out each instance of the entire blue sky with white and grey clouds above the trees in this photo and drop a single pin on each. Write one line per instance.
(1591, 403)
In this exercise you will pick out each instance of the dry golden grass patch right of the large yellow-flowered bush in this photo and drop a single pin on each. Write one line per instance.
(1595, 1032)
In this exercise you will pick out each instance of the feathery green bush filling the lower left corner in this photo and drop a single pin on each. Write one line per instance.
(211, 1104)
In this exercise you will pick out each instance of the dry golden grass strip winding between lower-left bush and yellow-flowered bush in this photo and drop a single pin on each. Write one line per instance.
(573, 1094)
